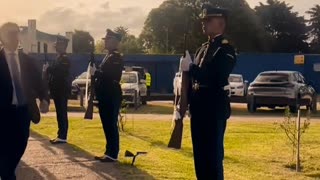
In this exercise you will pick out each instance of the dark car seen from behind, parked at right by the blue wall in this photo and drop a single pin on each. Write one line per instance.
(280, 89)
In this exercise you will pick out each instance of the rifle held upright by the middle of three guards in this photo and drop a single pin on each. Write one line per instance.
(89, 111)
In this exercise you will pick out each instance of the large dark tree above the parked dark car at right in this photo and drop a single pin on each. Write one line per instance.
(288, 30)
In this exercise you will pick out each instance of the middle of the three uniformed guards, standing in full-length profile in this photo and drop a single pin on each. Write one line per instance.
(109, 95)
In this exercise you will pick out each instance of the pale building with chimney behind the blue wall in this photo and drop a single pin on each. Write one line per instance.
(33, 40)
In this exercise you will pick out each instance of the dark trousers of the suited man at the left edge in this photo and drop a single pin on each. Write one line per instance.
(14, 130)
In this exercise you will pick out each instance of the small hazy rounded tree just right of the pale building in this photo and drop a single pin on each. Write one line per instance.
(81, 41)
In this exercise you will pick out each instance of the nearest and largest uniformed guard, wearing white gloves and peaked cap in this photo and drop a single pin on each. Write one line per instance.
(209, 94)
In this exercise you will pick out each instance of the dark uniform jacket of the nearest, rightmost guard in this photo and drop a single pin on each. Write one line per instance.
(213, 63)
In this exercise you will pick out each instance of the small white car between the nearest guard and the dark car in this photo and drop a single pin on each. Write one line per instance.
(237, 85)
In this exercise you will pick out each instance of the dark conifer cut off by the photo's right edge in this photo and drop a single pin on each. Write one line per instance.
(314, 22)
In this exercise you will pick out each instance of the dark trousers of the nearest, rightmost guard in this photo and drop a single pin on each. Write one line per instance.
(207, 129)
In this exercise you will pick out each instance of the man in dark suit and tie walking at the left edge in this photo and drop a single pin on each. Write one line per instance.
(21, 84)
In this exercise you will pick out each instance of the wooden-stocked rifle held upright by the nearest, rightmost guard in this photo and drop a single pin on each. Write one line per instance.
(181, 104)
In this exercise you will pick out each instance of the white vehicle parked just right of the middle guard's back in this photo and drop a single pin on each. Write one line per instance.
(131, 85)
